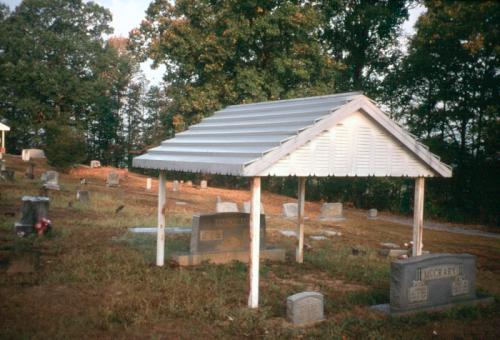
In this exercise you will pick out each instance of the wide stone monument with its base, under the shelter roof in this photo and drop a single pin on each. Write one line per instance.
(223, 238)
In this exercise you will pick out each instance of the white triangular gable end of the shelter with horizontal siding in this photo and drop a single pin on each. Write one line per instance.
(356, 146)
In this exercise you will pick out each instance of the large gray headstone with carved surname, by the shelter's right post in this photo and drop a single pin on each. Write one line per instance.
(433, 280)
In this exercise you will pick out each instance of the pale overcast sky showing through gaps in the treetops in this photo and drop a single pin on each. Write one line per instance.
(128, 14)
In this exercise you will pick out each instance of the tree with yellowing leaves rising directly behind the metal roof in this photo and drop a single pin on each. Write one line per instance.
(225, 52)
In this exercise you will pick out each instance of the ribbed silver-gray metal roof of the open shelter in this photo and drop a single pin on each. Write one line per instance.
(242, 135)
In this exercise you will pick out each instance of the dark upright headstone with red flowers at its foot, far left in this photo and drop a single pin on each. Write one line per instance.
(33, 210)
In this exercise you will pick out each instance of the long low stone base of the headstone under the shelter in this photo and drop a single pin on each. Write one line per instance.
(193, 259)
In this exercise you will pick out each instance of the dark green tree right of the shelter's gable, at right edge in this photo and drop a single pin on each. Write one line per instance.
(447, 91)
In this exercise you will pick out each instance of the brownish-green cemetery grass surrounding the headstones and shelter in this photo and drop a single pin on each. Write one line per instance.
(91, 278)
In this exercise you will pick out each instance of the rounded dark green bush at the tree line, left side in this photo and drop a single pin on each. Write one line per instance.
(65, 146)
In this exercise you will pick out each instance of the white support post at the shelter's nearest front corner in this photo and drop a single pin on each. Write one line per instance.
(253, 297)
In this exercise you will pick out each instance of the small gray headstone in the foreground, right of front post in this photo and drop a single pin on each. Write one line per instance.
(305, 308)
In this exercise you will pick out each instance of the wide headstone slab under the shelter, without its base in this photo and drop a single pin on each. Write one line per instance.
(223, 232)
